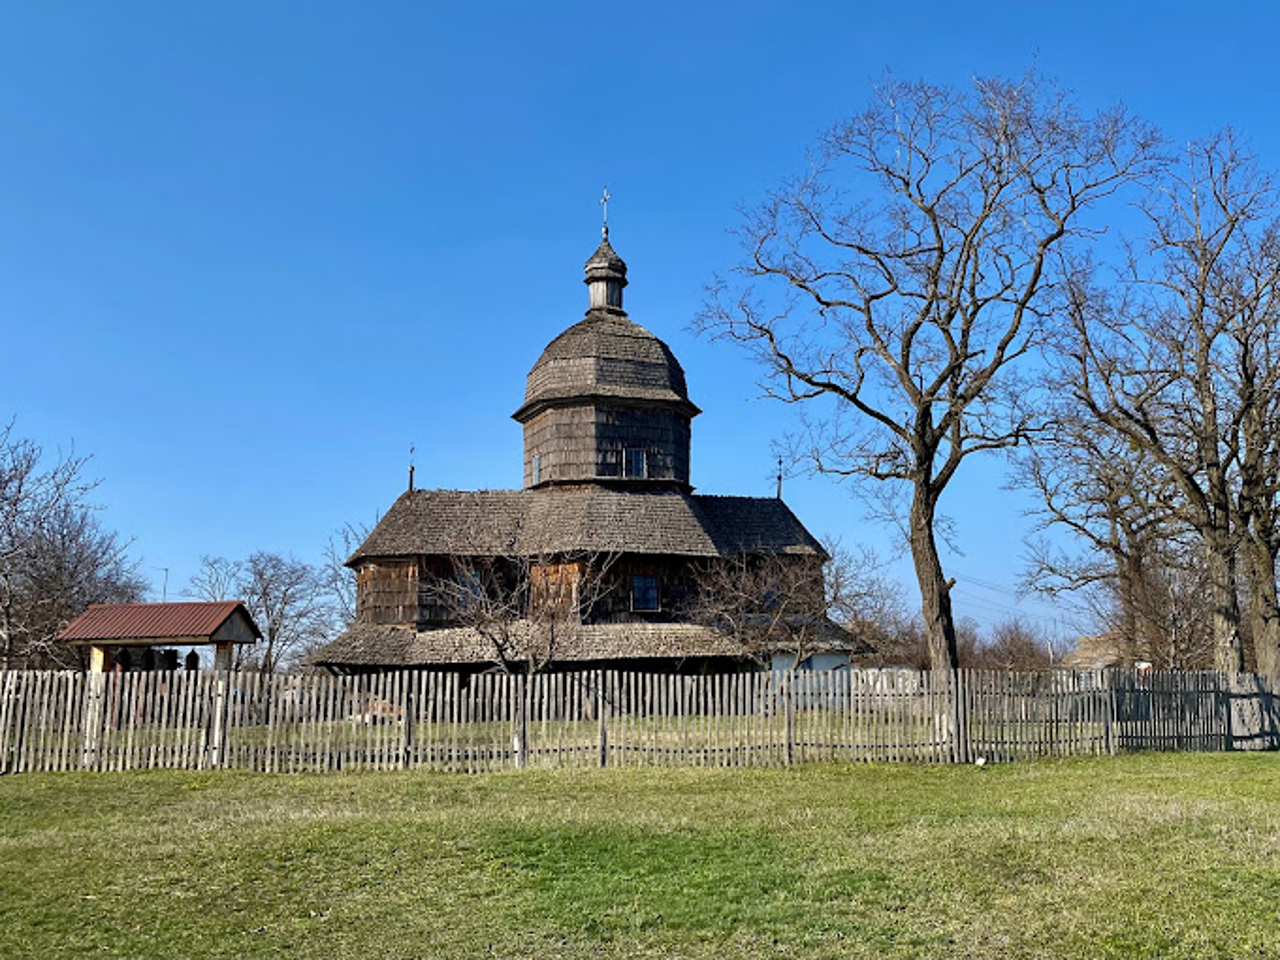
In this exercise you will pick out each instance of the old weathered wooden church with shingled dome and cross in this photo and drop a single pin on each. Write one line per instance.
(605, 557)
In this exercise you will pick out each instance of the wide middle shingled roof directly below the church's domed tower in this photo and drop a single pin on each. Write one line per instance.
(591, 519)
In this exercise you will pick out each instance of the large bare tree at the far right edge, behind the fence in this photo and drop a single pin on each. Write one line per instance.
(1168, 365)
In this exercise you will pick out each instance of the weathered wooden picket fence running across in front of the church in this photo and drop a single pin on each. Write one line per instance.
(63, 721)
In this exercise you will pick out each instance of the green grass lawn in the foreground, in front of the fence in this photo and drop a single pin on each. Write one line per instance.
(1146, 856)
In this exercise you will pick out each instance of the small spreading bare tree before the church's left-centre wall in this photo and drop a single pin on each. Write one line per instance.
(525, 609)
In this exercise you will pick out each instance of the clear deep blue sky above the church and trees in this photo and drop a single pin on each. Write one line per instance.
(252, 252)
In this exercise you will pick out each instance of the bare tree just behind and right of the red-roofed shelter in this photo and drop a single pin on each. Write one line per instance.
(287, 598)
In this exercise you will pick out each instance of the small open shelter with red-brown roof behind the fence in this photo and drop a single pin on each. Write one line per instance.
(126, 636)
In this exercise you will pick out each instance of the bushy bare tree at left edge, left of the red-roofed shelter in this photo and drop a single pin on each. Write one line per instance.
(56, 559)
